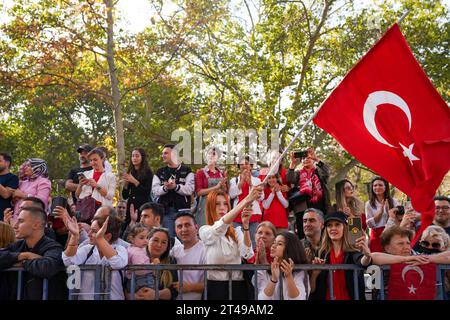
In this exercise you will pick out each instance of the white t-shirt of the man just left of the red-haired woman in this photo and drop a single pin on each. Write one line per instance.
(194, 255)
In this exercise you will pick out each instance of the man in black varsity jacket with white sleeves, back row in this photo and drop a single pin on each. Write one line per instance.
(173, 185)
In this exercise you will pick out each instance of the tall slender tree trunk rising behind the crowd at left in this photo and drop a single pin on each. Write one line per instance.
(117, 111)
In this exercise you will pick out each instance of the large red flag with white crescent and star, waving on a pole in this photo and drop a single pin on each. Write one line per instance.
(388, 115)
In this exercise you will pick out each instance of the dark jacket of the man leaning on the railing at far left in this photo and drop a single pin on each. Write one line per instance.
(50, 266)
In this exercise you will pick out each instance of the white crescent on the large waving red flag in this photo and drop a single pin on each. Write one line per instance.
(370, 108)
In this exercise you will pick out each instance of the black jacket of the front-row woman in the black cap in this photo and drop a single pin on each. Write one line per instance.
(322, 280)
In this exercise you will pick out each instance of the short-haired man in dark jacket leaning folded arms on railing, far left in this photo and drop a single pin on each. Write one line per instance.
(40, 257)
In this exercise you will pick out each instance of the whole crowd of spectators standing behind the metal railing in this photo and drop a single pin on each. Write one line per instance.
(176, 216)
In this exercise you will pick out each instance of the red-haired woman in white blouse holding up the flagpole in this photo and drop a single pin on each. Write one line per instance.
(226, 245)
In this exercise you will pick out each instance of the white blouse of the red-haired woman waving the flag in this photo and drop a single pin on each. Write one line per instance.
(221, 250)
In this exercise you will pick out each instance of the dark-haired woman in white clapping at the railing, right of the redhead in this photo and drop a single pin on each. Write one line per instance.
(286, 251)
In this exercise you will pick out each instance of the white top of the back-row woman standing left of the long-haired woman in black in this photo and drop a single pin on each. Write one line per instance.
(107, 180)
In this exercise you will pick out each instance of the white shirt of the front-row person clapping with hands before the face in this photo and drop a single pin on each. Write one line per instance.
(118, 261)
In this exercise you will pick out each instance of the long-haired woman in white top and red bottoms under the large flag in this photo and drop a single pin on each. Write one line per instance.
(377, 210)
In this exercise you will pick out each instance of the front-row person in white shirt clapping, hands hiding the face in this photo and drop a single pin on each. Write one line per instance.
(101, 250)
